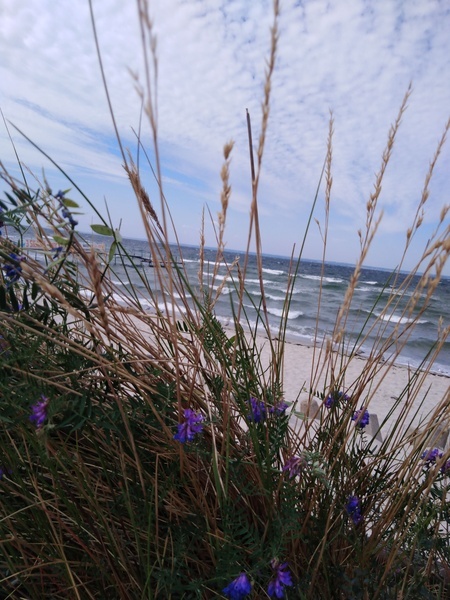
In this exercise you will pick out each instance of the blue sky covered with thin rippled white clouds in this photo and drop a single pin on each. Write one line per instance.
(355, 58)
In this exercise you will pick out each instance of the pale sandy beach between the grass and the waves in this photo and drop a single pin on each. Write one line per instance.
(388, 384)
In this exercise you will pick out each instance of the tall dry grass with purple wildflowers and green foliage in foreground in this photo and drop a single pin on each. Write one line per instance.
(154, 454)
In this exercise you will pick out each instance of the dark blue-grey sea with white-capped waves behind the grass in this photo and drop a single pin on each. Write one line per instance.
(307, 322)
